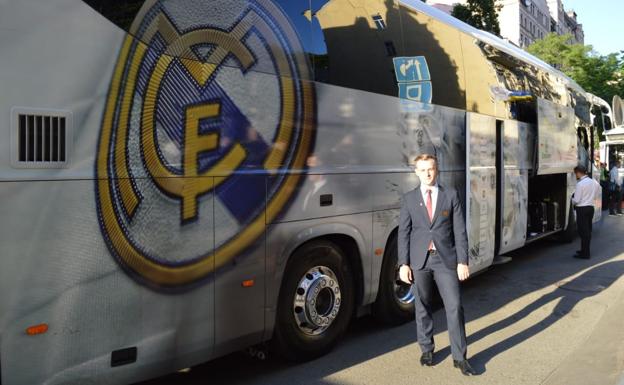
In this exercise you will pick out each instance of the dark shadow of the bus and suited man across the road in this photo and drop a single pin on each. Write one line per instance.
(534, 267)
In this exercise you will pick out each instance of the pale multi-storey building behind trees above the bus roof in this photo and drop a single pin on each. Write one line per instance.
(524, 21)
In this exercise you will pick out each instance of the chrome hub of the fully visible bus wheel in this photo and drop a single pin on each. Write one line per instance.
(317, 300)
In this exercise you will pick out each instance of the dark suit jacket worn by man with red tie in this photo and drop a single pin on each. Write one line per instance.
(447, 230)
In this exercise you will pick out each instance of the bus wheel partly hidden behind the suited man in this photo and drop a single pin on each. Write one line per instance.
(395, 301)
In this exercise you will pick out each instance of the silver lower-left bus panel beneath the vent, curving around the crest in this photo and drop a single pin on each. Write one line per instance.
(57, 271)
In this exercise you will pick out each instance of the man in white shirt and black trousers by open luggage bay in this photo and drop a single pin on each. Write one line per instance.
(583, 200)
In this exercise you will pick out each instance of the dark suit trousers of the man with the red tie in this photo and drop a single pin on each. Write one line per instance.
(448, 285)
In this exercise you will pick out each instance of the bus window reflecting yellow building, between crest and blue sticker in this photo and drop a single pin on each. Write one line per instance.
(354, 43)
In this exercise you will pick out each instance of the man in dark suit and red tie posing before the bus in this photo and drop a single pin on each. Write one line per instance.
(433, 247)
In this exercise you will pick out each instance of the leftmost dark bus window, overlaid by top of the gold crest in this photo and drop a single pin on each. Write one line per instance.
(173, 30)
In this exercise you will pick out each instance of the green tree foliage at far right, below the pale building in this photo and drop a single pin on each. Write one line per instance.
(602, 75)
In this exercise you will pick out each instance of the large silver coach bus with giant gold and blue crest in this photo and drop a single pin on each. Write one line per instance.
(181, 179)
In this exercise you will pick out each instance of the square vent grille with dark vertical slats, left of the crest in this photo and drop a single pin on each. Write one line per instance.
(41, 138)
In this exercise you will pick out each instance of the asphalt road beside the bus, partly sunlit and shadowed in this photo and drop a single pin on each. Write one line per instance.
(543, 318)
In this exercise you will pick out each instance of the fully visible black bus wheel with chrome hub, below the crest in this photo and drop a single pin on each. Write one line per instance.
(316, 301)
